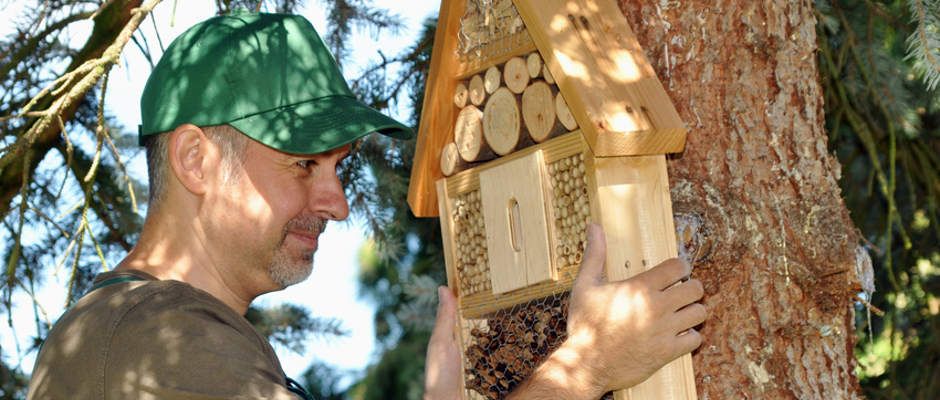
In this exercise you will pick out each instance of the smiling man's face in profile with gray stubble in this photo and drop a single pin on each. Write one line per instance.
(273, 212)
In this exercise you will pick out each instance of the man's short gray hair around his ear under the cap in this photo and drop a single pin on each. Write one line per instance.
(232, 143)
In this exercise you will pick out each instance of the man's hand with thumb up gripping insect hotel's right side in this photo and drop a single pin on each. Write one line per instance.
(627, 330)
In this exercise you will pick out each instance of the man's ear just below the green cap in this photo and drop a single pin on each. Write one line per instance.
(191, 157)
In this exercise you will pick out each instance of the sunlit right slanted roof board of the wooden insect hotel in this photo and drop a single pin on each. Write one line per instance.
(599, 66)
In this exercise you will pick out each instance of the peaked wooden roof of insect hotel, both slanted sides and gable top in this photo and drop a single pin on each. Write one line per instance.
(589, 51)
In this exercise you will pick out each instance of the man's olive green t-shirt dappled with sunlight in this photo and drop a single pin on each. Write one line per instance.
(155, 339)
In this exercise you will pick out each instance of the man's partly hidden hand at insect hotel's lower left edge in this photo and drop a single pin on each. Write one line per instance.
(442, 371)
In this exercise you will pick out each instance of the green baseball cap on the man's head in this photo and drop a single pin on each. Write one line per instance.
(268, 75)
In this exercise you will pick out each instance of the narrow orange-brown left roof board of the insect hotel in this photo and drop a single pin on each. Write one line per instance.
(436, 128)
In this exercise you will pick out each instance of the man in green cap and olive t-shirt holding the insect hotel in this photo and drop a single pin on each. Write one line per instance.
(245, 120)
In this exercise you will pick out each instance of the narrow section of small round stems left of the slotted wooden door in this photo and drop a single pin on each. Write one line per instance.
(473, 269)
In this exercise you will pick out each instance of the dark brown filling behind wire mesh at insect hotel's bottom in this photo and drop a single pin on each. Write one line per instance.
(513, 343)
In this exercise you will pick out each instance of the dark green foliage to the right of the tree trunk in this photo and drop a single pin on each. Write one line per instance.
(883, 117)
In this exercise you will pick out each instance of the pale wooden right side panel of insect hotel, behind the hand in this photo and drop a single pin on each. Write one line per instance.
(636, 213)
